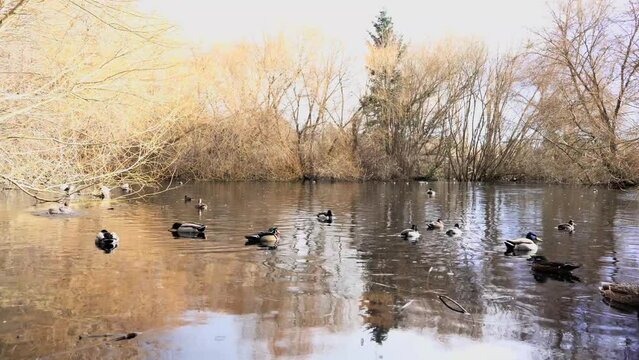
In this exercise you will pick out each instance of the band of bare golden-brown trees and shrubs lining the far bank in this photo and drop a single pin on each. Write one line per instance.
(93, 92)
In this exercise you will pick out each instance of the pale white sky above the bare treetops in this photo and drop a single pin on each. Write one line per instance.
(502, 24)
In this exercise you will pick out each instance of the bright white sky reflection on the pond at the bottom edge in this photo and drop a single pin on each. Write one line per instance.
(222, 336)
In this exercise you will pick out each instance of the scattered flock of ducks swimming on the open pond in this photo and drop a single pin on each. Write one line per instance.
(623, 293)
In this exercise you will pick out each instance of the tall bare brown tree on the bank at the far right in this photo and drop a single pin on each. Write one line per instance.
(592, 52)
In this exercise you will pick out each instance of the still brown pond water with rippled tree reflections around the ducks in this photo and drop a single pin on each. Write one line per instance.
(351, 289)
